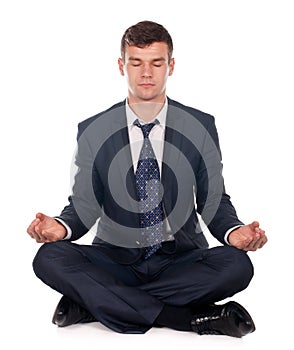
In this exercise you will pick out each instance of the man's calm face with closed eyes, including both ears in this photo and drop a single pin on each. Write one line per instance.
(146, 70)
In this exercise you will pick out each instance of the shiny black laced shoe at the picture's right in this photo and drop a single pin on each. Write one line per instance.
(228, 319)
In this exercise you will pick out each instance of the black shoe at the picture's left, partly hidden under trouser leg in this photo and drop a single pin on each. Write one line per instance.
(68, 312)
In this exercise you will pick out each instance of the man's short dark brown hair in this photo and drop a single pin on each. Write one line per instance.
(144, 34)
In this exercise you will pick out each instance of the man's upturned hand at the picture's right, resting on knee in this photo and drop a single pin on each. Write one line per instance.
(249, 237)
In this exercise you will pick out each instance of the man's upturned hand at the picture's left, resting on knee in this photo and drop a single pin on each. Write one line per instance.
(46, 229)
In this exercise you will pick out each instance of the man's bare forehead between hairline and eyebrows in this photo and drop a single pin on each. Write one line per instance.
(153, 51)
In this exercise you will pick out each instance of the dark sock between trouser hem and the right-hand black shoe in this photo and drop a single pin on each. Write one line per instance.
(176, 317)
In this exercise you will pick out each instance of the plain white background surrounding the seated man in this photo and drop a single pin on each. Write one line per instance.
(234, 59)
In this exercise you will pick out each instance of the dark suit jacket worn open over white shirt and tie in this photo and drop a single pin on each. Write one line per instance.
(104, 195)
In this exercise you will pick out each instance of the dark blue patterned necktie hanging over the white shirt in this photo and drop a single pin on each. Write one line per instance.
(149, 193)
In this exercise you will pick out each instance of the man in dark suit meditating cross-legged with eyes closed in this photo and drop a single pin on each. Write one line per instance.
(144, 167)
